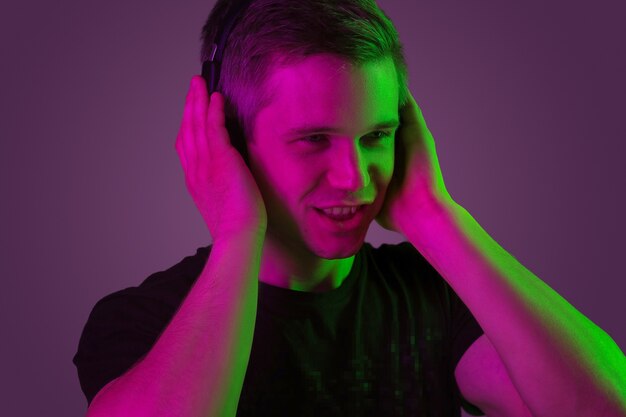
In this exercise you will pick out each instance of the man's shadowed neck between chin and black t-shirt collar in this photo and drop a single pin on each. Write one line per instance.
(298, 269)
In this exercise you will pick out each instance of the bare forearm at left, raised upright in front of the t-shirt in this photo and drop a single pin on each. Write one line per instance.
(197, 366)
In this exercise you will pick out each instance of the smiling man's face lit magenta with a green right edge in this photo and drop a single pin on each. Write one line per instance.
(326, 140)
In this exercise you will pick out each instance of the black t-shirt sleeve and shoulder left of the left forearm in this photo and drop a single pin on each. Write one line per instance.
(123, 326)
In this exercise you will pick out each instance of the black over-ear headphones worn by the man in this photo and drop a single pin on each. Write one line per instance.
(211, 67)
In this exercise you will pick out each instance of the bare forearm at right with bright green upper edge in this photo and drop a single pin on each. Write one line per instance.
(560, 362)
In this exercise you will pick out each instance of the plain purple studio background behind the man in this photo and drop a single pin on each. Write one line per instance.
(526, 103)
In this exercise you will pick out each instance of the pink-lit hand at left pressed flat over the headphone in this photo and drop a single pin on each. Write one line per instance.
(216, 175)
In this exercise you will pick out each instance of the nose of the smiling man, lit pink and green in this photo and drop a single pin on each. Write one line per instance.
(348, 169)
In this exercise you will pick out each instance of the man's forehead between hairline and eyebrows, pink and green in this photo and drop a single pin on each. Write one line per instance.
(324, 89)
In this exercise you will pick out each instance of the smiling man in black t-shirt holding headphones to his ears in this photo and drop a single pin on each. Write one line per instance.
(288, 312)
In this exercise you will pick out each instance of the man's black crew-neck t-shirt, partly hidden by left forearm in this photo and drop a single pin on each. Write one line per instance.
(384, 343)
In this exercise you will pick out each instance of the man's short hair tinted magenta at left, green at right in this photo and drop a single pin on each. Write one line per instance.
(283, 32)
